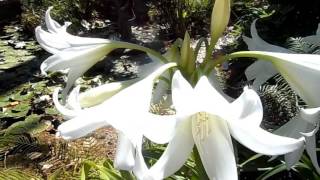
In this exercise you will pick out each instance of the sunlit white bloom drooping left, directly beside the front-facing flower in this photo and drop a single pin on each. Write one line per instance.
(128, 112)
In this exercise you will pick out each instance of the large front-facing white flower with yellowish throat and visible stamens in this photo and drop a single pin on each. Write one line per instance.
(206, 119)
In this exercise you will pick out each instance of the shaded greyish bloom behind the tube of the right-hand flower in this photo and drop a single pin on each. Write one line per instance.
(260, 71)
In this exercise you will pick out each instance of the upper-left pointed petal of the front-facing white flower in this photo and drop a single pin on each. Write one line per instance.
(182, 94)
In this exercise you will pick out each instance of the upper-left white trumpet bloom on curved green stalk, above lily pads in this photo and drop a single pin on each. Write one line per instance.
(77, 54)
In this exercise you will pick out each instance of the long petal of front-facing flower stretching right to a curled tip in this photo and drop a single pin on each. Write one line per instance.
(261, 141)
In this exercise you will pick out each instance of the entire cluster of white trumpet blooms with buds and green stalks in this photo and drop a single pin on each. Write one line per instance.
(204, 116)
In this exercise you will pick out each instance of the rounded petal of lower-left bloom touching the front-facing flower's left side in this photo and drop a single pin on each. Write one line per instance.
(160, 128)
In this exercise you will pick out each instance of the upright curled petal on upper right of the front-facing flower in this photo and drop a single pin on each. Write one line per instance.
(246, 109)
